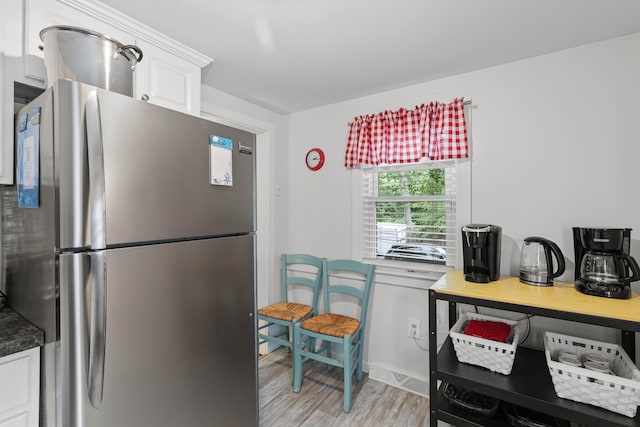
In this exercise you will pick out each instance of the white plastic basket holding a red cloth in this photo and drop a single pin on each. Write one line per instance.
(493, 355)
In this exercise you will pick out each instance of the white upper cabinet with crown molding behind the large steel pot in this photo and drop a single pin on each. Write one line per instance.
(169, 73)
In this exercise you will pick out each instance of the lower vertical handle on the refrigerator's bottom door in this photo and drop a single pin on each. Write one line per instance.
(97, 328)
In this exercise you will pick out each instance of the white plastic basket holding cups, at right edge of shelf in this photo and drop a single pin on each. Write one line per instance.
(618, 393)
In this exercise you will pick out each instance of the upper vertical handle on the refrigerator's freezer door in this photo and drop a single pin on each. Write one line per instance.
(97, 201)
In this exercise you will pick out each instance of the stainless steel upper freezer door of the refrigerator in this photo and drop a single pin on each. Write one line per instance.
(156, 171)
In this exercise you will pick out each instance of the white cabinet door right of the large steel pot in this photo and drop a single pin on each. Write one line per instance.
(167, 80)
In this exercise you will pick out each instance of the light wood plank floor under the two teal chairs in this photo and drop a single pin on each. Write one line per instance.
(319, 403)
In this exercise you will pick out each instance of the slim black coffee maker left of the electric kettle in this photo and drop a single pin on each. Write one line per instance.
(481, 252)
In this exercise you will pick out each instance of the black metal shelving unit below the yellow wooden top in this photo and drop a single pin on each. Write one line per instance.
(529, 384)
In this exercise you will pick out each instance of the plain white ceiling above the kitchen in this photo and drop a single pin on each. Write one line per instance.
(291, 55)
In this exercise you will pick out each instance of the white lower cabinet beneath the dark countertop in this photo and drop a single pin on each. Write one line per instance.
(20, 389)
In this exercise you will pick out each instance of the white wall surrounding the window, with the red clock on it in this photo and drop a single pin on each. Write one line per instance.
(555, 144)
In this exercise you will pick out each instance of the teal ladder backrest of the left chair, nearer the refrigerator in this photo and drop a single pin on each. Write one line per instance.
(310, 275)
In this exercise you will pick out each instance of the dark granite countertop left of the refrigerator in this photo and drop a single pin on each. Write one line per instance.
(17, 333)
